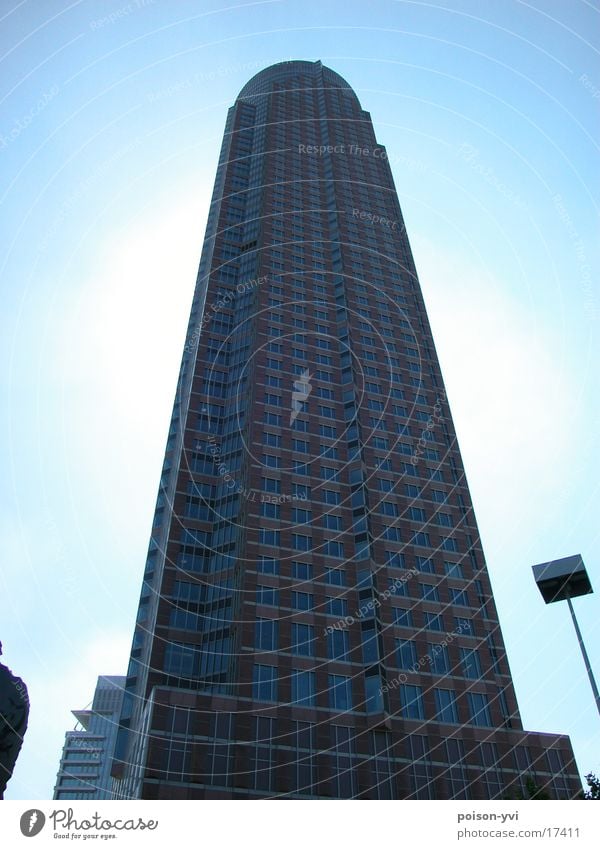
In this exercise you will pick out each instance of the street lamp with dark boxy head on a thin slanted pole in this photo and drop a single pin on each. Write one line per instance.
(565, 579)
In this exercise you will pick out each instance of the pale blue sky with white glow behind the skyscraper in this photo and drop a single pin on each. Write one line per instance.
(111, 119)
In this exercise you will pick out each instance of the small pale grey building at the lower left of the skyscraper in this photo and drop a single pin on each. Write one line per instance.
(84, 771)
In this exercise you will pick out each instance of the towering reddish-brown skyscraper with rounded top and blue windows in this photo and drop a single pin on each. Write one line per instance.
(316, 618)
